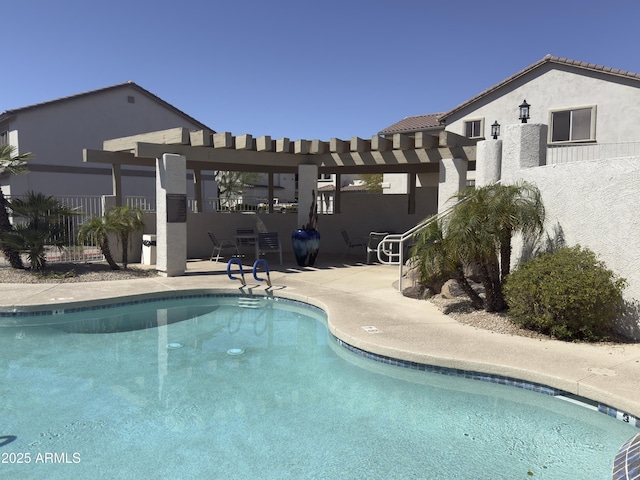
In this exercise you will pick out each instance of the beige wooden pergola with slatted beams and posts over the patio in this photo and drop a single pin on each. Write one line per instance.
(208, 151)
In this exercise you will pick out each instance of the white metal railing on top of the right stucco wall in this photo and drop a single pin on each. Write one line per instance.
(558, 154)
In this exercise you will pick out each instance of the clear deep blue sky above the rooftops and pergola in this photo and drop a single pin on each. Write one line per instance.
(301, 69)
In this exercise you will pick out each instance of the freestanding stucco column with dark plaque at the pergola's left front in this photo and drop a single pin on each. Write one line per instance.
(171, 215)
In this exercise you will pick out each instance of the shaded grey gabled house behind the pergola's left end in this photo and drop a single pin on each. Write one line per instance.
(57, 131)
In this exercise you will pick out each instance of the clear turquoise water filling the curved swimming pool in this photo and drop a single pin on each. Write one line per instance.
(255, 388)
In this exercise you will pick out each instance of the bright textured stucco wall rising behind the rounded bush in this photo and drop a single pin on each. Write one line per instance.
(597, 203)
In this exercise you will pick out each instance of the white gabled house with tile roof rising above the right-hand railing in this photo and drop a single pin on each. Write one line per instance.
(579, 101)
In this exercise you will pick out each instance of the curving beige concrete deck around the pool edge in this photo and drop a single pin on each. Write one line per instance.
(367, 312)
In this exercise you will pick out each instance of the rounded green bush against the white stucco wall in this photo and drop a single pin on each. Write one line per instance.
(568, 294)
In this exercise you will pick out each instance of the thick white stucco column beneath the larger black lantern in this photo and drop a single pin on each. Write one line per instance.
(524, 146)
